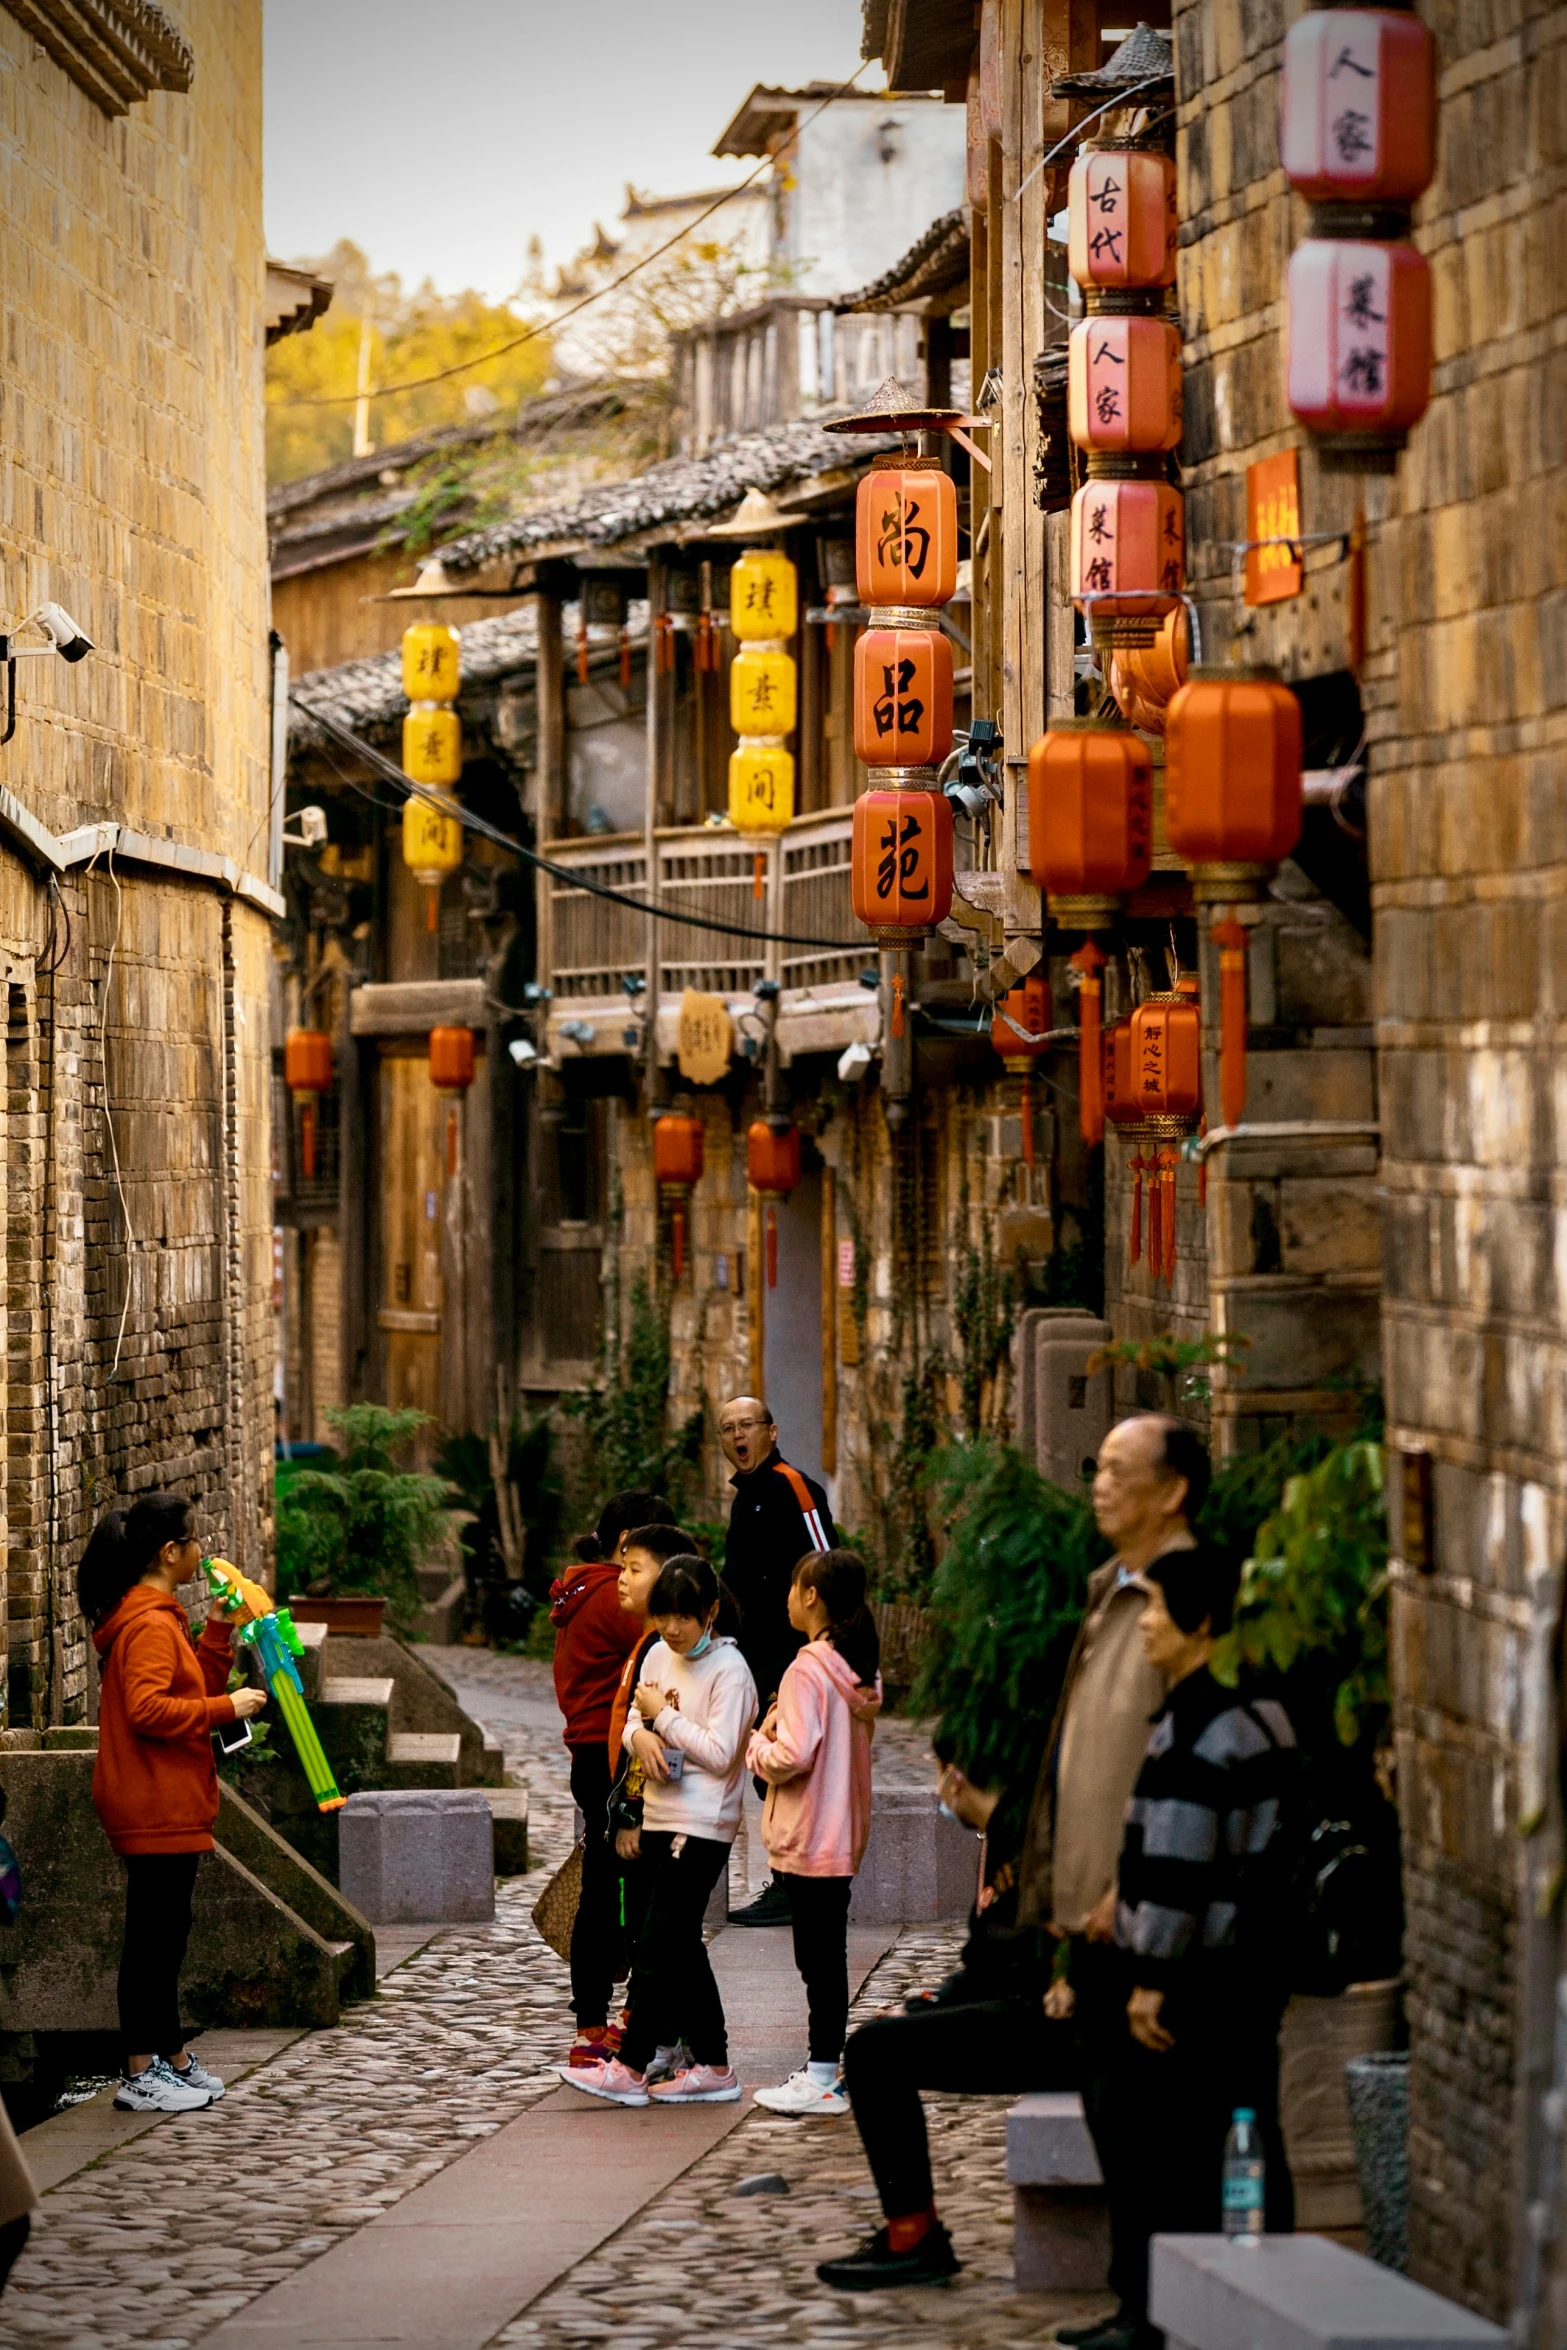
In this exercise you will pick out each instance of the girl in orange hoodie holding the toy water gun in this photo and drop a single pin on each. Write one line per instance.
(156, 1785)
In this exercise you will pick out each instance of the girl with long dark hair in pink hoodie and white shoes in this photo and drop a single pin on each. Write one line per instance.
(816, 1754)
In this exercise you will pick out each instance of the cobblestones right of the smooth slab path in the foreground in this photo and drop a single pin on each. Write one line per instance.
(706, 2267)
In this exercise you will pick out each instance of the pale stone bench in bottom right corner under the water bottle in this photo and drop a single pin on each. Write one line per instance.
(1298, 2292)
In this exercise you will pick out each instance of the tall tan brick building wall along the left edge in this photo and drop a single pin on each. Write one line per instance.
(137, 1117)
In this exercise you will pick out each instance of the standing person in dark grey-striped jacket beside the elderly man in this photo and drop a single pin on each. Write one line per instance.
(1199, 1921)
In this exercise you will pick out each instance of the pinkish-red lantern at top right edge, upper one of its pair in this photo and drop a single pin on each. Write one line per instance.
(1359, 107)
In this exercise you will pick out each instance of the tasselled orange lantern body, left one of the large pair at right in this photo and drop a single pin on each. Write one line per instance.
(1091, 819)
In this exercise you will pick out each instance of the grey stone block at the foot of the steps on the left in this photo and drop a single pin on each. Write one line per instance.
(419, 1858)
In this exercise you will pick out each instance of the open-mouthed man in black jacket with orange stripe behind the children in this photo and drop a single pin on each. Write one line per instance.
(779, 1515)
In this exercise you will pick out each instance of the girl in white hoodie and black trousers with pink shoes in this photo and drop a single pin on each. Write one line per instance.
(690, 1721)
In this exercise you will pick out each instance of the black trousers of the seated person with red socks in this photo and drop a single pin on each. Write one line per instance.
(981, 2048)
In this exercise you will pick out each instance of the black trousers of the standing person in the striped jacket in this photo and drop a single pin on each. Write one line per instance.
(1169, 2123)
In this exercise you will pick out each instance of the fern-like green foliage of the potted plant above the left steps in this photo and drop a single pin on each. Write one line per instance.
(365, 1524)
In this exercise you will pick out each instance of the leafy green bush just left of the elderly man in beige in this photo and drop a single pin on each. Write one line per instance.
(1007, 1602)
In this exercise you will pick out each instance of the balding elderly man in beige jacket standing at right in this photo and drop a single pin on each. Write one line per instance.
(1150, 1482)
